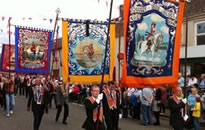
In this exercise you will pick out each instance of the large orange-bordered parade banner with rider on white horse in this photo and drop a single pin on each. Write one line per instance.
(152, 30)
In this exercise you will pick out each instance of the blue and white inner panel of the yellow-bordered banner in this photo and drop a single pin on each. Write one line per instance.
(86, 53)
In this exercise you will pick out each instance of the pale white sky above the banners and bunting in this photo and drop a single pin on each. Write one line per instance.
(37, 10)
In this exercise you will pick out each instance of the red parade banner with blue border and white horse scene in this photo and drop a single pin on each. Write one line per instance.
(32, 50)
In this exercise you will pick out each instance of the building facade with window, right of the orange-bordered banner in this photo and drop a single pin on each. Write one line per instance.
(195, 16)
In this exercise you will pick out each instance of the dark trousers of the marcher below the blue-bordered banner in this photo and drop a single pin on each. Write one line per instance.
(37, 114)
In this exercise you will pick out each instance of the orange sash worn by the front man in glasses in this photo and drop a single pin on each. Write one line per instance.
(95, 111)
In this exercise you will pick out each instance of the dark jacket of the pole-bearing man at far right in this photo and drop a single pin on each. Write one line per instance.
(176, 118)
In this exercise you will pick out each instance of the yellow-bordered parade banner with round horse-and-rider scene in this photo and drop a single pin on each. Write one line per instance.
(83, 51)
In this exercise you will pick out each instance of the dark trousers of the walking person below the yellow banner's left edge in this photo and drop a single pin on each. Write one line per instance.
(66, 112)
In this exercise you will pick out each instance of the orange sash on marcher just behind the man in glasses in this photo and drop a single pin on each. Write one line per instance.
(111, 99)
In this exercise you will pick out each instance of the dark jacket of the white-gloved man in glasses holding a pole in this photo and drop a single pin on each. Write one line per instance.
(89, 124)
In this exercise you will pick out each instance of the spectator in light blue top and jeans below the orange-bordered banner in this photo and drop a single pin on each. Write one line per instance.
(146, 100)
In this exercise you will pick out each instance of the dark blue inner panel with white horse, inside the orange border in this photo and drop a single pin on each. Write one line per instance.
(151, 37)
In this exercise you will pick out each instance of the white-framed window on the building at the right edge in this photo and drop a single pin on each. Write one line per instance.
(200, 33)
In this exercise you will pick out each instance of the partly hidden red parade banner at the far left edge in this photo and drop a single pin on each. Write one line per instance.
(5, 59)
